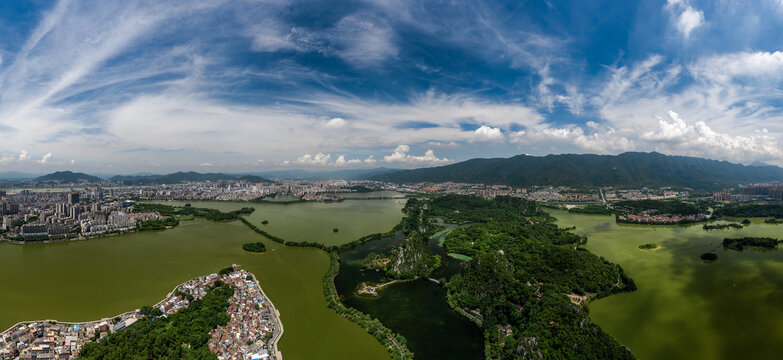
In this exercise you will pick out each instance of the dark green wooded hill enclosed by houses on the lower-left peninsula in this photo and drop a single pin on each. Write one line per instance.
(183, 335)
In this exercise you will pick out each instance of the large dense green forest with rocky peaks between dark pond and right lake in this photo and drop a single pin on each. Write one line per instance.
(516, 282)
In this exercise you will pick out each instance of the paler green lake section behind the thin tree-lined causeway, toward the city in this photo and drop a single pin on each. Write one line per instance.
(315, 221)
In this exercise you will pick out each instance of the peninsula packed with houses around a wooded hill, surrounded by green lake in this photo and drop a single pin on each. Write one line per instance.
(222, 315)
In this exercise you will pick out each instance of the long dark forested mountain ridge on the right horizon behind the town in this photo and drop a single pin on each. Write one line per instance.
(631, 168)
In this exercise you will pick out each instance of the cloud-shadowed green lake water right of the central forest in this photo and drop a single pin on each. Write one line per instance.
(685, 308)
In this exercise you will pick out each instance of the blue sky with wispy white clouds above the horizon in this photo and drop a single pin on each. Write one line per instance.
(252, 85)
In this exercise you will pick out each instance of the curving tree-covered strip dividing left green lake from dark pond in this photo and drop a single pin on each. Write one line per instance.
(394, 343)
